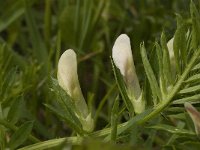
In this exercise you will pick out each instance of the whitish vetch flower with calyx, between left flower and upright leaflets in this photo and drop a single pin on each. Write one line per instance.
(123, 59)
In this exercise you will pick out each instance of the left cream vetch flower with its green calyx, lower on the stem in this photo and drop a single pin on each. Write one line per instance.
(68, 80)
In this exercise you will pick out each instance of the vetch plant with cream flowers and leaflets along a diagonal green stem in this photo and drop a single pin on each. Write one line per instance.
(135, 114)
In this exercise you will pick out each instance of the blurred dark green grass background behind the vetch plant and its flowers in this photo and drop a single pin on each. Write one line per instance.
(34, 33)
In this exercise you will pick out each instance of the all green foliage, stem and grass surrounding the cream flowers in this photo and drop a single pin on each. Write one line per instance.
(34, 33)
